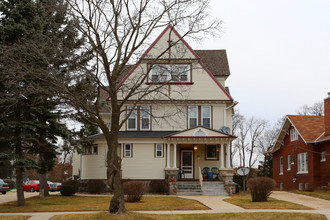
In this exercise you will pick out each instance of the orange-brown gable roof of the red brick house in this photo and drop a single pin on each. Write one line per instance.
(309, 127)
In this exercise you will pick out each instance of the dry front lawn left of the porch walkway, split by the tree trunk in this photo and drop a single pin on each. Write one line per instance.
(100, 203)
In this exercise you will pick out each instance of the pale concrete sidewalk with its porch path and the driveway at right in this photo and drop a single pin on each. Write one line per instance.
(217, 205)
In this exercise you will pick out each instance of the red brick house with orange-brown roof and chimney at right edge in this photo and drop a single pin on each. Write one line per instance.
(301, 154)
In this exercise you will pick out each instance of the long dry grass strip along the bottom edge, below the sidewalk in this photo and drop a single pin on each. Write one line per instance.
(227, 216)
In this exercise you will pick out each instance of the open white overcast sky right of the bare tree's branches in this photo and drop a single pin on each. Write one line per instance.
(278, 53)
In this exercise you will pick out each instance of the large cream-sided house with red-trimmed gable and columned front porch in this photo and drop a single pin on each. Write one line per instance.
(188, 138)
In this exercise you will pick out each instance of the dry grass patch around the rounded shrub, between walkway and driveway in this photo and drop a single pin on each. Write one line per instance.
(243, 199)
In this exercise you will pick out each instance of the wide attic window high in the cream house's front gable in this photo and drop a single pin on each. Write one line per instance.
(170, 73)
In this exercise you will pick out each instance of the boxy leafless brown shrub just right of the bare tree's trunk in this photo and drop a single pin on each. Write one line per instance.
(134, 190)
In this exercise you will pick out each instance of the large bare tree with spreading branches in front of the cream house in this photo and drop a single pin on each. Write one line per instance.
(117, 32)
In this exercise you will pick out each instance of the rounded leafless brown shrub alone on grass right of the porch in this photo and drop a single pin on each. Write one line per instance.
(260, 188)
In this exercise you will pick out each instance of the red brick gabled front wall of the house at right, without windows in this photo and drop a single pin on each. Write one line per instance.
(293, 149)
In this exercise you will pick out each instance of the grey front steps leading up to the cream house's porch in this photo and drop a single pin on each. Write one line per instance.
(214, 188)
